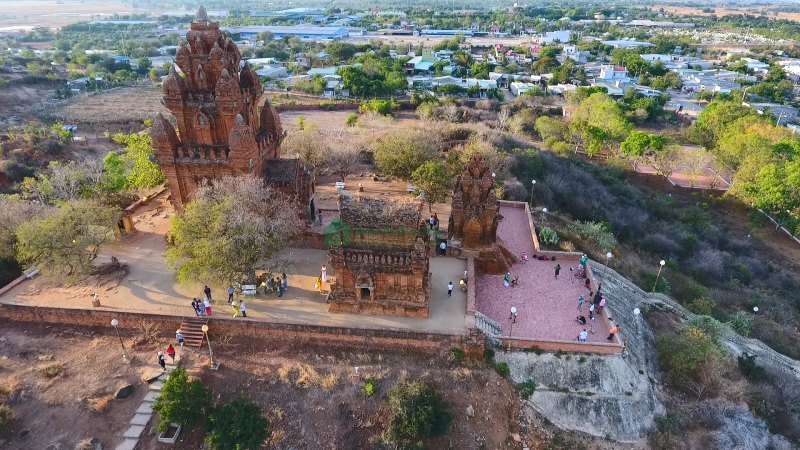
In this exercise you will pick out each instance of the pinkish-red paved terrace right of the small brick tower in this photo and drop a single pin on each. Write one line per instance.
(546, 306)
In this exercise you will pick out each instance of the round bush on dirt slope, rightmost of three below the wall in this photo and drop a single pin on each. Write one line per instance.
(416, 411)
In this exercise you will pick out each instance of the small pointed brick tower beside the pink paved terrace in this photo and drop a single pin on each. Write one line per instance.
(475, 212)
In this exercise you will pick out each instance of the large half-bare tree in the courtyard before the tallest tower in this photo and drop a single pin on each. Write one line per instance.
(231, 228)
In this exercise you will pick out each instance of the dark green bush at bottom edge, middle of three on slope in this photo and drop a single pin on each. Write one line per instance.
(238, 425)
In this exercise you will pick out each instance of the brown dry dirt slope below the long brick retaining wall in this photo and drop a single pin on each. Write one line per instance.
(309, 394)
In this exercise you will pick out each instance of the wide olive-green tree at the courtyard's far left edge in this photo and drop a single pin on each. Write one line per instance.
(69, 239)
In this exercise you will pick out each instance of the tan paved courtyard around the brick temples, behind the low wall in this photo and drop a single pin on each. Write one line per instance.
(150, 287)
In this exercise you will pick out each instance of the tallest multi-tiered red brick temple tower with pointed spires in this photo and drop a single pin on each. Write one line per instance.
(222, 129)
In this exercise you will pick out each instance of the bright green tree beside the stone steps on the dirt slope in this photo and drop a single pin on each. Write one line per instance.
(182, 401)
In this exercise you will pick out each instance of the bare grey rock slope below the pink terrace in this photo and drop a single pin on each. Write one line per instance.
(618, 396)
